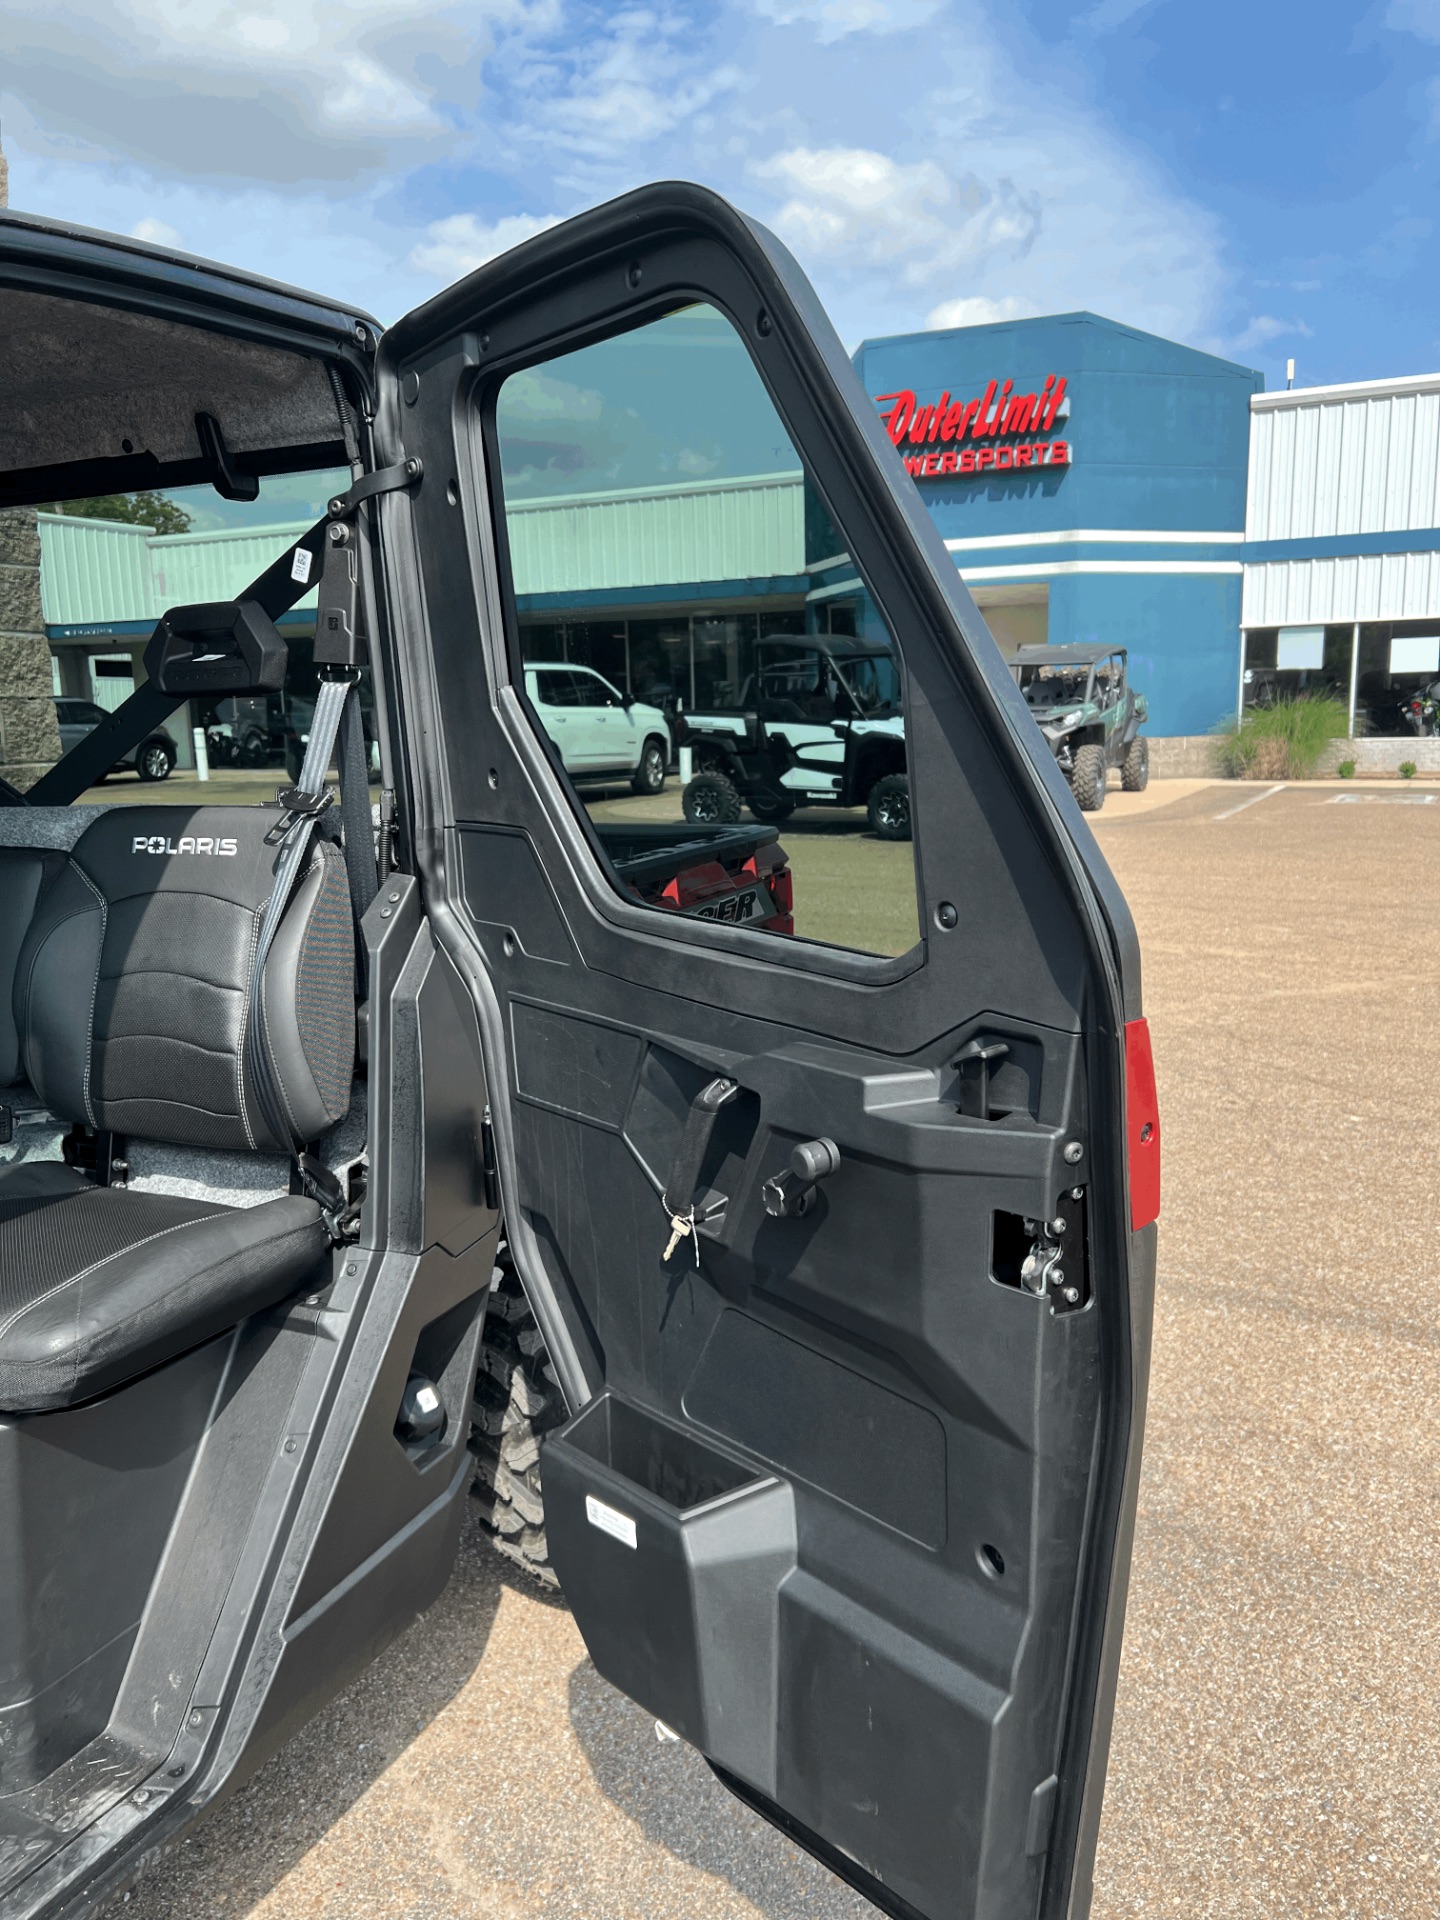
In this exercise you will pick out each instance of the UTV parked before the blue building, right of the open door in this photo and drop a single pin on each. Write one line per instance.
(1090, 713)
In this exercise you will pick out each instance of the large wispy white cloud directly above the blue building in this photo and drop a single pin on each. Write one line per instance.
(986, 178)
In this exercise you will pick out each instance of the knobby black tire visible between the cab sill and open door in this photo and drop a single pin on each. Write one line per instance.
(516, 1403)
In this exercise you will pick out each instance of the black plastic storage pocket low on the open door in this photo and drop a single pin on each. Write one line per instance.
(671, 1554)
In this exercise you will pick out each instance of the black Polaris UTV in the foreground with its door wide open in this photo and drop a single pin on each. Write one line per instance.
(827, 1274)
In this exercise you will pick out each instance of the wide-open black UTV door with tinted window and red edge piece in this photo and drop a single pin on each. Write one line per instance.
(848, 1491)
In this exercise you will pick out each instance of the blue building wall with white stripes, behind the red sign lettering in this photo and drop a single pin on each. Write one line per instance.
(1159, 439)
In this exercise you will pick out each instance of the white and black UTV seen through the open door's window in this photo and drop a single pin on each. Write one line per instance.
(817, 725)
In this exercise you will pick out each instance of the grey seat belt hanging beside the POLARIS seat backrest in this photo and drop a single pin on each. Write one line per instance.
(293, 832)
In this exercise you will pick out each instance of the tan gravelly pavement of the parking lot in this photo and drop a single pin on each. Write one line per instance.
(1278, 1746)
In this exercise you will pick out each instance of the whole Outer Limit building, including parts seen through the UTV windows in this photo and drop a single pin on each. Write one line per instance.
(1092, 483)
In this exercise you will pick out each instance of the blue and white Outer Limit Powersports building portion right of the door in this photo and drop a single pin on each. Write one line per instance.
(1239, 544)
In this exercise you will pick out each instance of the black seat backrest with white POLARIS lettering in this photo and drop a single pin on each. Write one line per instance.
(133, 980)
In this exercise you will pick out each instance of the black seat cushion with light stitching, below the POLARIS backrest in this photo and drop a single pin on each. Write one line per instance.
(99, 1284)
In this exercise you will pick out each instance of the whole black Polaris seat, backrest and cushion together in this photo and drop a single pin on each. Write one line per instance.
(132, 1007)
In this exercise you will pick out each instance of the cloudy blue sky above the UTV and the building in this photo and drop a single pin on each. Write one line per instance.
(1260, 181)
